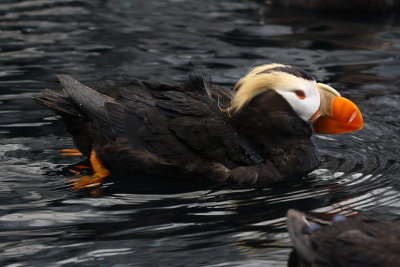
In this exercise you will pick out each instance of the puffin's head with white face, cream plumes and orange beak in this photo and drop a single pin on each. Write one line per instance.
(314, 102)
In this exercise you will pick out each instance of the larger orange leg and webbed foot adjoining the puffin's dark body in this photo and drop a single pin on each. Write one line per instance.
(100, 173)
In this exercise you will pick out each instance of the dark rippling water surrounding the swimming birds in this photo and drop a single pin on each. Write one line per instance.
(43, 223)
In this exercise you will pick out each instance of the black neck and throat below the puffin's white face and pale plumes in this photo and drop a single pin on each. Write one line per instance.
(274, 129)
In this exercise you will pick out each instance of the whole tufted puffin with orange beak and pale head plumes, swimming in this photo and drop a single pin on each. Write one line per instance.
(257, 134)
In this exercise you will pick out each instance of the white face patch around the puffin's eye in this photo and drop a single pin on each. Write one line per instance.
(302, 95)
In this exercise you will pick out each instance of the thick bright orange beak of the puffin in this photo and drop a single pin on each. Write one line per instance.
(344, 117)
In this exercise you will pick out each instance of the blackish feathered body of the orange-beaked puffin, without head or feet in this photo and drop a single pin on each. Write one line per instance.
(181, 130)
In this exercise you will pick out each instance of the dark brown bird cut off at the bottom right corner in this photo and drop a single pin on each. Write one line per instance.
(343, 242)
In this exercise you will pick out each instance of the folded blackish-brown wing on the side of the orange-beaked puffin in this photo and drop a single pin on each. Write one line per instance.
(174, 123)
